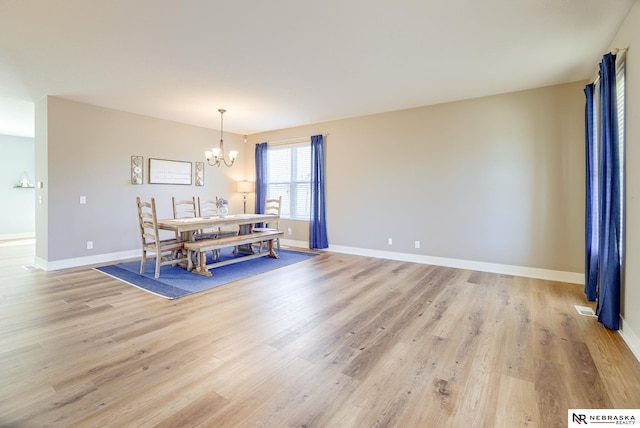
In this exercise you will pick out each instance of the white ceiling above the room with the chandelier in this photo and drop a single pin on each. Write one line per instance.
(281, 63)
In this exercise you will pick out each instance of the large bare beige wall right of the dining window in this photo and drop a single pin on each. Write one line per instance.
(497, 179)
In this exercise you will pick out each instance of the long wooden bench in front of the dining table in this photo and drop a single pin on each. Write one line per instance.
(202, 246)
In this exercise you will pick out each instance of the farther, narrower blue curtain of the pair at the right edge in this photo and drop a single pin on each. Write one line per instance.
(591, 198)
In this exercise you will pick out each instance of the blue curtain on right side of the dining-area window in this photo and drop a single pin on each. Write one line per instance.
(318, 225)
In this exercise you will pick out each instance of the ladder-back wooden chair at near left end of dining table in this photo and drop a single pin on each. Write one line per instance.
(166, 252)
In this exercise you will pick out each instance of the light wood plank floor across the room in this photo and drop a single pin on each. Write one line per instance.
(337, 341)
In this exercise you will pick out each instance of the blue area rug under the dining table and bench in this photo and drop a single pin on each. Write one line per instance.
(175, 281)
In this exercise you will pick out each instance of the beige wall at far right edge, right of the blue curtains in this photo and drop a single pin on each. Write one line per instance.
(629, 36)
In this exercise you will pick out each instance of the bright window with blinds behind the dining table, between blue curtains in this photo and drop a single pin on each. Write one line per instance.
(289, 176)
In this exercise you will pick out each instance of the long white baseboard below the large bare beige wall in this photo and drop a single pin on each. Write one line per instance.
(546, 274)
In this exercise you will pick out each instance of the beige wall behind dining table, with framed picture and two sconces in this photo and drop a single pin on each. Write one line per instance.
(89, 153)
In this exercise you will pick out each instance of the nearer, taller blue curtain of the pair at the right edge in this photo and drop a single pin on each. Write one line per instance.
(609, 258)
